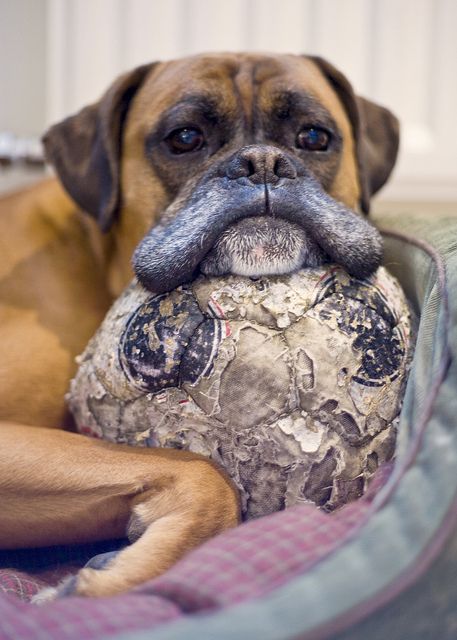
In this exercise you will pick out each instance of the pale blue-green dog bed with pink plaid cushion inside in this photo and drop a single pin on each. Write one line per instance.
(383, 566)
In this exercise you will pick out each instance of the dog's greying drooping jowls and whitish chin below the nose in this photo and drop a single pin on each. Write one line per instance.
(232, 226)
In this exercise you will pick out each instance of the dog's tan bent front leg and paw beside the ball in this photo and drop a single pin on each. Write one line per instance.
(71, 489)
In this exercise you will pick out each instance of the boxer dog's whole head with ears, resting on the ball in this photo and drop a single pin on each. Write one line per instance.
(249, 164)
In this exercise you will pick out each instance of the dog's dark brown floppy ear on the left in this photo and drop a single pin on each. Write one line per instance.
(85, 148)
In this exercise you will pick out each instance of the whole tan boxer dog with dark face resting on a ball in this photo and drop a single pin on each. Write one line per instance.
(249, 164)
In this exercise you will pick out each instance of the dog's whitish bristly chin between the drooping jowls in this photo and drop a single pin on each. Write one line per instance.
(260, 246)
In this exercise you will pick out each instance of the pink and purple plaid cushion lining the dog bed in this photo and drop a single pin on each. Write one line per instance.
(241, 564)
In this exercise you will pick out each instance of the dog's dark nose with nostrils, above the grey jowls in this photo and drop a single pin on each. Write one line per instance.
(262, 164)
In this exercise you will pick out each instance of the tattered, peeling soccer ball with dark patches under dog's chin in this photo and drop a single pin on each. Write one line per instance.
(292, 383)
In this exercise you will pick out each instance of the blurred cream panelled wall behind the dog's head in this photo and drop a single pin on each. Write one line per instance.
(58, 55)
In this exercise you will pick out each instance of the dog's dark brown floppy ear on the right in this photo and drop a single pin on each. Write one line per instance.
(376, 133)
